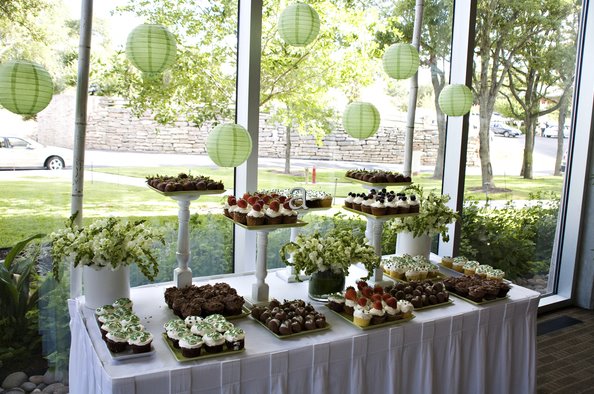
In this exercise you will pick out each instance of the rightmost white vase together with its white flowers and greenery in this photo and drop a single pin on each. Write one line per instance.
(415, 232)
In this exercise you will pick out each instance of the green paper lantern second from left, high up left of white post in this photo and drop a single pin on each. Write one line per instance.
(151, 48)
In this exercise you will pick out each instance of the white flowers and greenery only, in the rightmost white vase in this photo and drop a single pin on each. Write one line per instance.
(433, 218)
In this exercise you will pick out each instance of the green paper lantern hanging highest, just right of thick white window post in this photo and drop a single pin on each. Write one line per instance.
(298, 24)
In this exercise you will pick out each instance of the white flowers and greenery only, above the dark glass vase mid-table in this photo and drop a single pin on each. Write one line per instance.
(336, 251)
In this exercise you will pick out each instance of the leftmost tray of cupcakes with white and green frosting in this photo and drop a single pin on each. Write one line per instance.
(122, 331)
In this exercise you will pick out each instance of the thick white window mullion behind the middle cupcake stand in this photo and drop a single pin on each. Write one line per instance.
(247, 115)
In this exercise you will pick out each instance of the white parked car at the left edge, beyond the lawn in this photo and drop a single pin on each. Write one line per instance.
(21, 152)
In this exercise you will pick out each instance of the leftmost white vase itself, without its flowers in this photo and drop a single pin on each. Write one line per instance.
(103, 286)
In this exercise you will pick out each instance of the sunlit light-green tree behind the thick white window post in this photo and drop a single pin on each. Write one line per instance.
(295, 82)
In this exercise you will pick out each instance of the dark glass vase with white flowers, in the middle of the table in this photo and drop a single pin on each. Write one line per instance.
(327, 259)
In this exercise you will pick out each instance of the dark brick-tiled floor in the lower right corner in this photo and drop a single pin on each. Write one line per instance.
(565, 357)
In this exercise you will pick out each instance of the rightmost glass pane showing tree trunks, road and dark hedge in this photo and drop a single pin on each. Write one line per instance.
(523, 84)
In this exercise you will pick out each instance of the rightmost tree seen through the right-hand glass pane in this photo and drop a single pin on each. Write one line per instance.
(532, 76)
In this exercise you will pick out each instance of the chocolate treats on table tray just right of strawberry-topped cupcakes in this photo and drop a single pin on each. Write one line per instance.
(421, 294)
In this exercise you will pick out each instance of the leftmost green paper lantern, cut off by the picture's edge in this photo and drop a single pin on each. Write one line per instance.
(26, 88)
